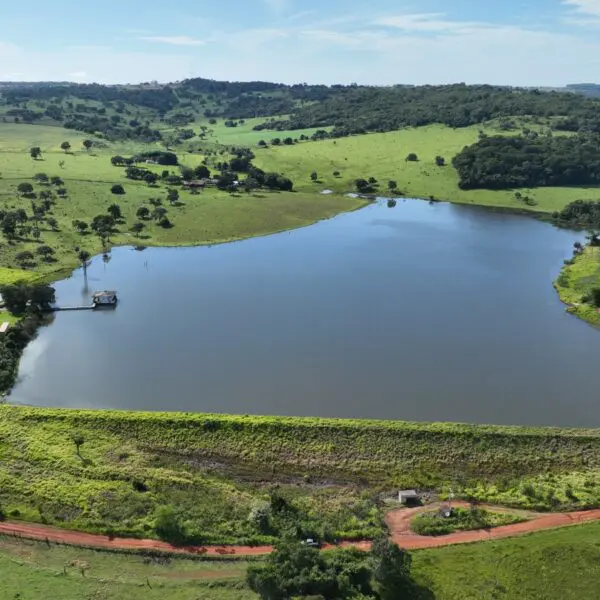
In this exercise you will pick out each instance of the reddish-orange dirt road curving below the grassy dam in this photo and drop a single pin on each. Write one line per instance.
(398, 522)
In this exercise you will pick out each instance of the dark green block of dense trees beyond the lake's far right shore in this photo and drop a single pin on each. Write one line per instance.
(500, 162)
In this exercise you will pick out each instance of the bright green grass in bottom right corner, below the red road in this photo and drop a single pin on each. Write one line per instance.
(551, 565)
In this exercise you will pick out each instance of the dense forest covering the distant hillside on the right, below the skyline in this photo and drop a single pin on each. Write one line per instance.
(358, 109)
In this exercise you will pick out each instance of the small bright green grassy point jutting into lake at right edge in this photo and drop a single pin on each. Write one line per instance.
(576, 280)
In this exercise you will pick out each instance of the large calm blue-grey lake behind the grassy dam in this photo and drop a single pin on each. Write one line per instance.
(432, 312)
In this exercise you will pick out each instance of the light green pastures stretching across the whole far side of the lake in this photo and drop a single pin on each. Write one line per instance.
(213, 216)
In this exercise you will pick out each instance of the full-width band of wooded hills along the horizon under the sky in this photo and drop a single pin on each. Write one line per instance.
(122, 112)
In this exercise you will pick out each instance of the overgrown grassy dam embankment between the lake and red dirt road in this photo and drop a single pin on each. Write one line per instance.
(226, 479)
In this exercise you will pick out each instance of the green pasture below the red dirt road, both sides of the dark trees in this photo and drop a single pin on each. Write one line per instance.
(550, 565)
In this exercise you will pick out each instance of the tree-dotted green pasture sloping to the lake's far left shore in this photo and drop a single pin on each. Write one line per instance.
(209, 217)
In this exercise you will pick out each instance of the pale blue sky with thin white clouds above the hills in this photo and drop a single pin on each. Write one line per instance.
(378, 42)
